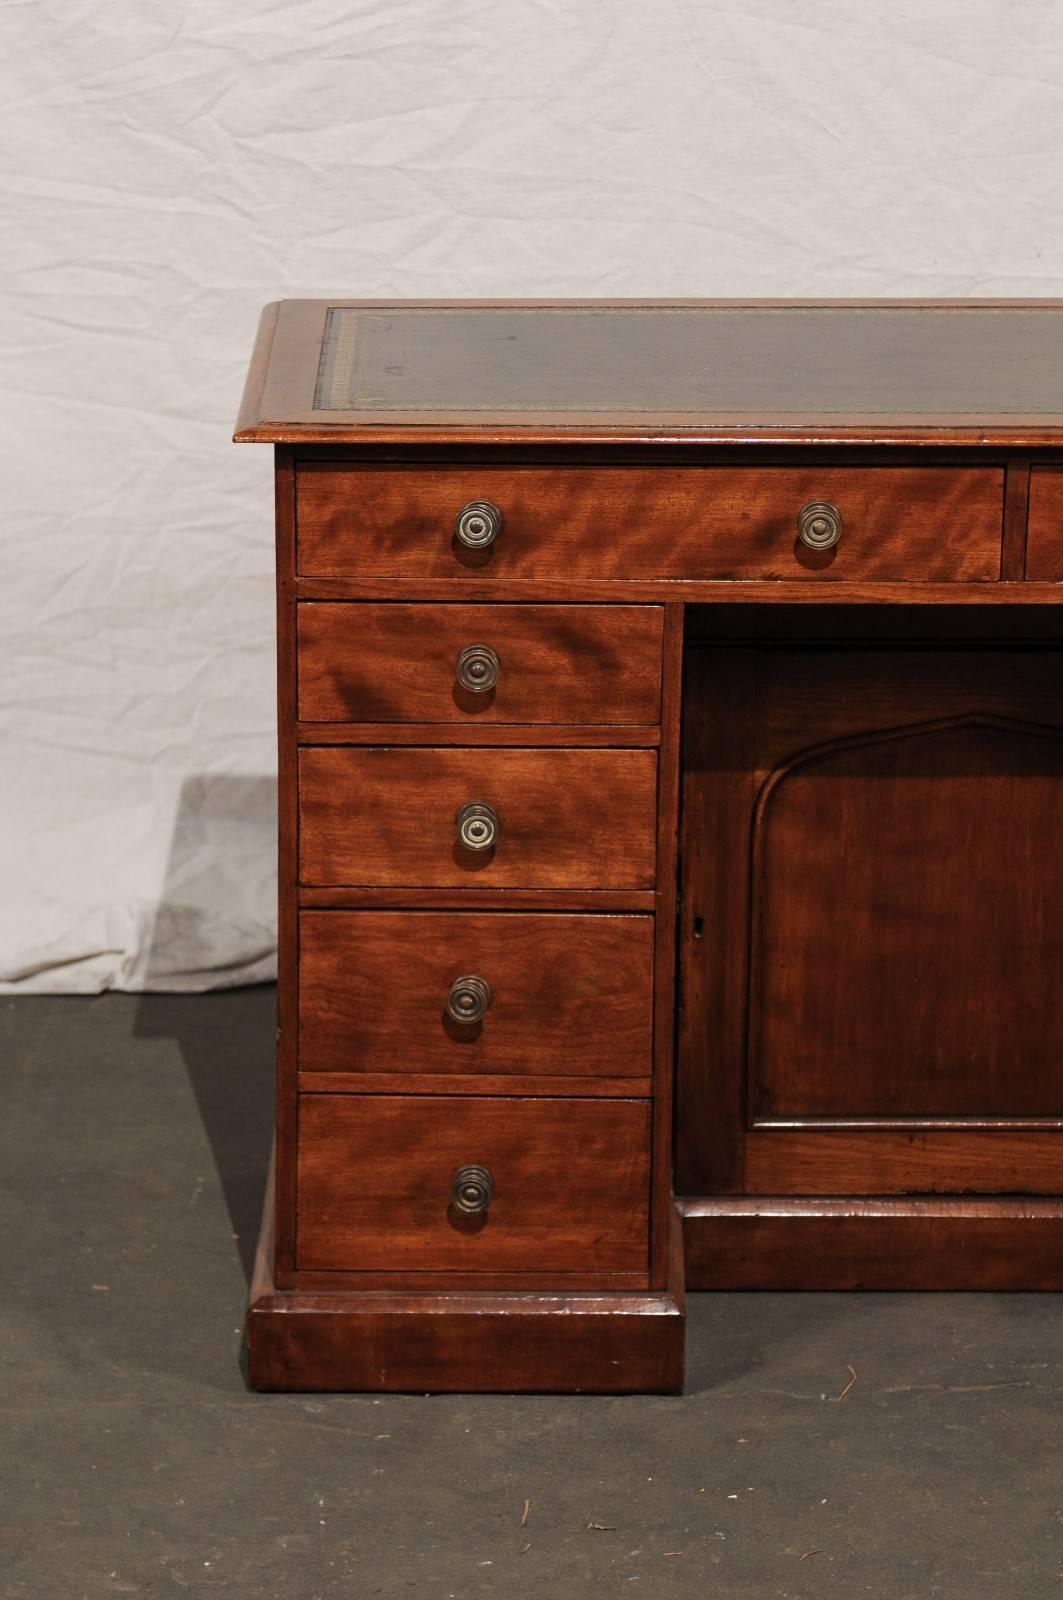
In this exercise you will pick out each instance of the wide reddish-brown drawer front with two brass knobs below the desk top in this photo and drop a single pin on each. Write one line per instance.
(899, 524)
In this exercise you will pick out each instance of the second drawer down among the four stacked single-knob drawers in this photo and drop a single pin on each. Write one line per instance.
(561, 818)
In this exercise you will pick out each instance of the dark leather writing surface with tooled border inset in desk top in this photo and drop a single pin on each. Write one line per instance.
(705, 361)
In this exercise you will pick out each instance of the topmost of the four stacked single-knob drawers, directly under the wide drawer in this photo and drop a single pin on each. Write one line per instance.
(536, 663)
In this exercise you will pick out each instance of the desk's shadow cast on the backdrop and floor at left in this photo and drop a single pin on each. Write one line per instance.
(225, 828)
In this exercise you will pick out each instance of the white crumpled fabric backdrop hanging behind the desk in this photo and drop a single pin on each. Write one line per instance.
(170, 167)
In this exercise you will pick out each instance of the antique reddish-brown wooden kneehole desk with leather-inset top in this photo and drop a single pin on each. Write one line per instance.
(672, 794)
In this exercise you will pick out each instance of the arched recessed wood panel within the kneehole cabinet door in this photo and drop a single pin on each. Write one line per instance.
(907, 953)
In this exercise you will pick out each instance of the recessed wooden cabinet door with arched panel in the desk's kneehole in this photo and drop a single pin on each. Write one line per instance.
(873, 922)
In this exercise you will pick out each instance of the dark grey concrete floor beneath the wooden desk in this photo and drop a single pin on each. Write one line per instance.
(137, 1463)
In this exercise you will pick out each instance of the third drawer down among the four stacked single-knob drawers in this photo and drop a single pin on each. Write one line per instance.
(568, 996)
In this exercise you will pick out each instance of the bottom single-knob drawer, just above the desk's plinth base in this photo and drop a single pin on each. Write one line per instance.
(375, 1182)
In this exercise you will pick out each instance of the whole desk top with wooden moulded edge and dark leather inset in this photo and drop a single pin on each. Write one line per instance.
(643, 372)
